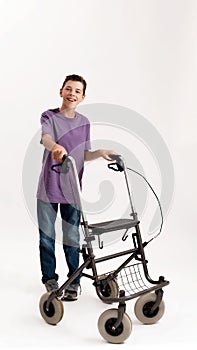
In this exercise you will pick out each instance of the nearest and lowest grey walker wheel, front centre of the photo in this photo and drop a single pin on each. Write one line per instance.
(105, 325)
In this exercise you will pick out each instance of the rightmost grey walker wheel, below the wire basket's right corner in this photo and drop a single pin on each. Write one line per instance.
(143, 306)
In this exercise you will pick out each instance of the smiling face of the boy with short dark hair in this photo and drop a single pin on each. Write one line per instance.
(72, 94)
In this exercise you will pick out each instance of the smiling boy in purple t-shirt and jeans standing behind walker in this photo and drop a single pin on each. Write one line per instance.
(64, 131)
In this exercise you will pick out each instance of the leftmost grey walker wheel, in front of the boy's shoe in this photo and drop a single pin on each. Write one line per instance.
(55, 312)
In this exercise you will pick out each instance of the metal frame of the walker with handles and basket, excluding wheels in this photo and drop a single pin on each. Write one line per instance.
(129, 277)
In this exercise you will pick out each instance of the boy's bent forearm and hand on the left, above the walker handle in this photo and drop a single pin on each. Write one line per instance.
(57, 150)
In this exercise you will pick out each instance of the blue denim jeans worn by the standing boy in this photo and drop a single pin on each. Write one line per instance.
(70, 214)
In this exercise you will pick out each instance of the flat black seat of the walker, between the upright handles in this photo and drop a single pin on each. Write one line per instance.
(113, 225)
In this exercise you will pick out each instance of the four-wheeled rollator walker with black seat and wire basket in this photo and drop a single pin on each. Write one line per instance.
(130, 280)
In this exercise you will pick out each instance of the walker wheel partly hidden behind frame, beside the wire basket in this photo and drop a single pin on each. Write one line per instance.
(111, 290)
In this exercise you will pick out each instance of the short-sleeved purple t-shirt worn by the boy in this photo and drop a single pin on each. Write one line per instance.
(74, 135)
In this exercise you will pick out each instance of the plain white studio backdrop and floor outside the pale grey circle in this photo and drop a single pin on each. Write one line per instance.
(138, 54)
